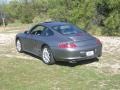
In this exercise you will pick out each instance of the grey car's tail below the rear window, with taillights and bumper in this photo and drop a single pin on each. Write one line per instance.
(78, 48)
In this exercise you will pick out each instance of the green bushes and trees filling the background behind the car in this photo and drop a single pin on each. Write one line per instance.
(84, 13)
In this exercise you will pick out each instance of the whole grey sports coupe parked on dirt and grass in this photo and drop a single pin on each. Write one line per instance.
(58, 41)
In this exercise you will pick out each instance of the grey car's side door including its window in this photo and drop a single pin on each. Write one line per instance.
(33, 37)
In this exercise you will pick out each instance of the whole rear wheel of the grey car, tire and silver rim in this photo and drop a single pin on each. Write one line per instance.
(47, 56)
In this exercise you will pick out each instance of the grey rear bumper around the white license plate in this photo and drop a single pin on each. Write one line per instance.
(77, 54)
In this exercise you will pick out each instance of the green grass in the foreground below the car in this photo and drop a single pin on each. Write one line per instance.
(23, 74)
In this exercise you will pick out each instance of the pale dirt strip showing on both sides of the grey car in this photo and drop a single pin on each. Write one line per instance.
(108, 63)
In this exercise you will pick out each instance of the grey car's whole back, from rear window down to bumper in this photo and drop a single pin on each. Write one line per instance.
(78, 46)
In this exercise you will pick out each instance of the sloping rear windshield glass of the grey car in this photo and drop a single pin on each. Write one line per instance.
(67, 29)
